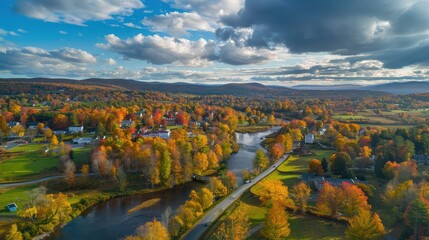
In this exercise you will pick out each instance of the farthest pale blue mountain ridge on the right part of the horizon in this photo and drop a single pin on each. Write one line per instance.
(393, 88)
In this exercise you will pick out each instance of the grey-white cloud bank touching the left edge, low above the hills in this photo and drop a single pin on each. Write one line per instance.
(40, 62)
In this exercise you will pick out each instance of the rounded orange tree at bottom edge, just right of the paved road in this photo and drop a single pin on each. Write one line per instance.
(276, 223)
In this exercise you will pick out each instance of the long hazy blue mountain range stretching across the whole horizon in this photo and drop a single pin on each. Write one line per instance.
(241, 89)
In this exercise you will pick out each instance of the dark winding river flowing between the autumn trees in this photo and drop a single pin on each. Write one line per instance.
(110, 220)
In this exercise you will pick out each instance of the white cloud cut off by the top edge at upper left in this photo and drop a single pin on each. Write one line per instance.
(76, 11)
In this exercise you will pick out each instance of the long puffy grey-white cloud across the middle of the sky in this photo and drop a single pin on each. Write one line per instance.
(167, 50)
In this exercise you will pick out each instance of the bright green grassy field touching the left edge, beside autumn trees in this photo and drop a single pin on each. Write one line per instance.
(28, 165)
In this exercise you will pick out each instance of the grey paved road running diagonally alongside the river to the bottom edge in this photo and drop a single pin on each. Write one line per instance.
(200, 226)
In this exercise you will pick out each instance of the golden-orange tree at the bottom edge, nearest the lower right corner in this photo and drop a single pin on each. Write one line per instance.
(365, 226)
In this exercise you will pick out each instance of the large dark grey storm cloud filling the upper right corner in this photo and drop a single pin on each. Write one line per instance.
(378, 29)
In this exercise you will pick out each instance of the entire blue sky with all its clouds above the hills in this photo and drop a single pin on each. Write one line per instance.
(275, 42)
